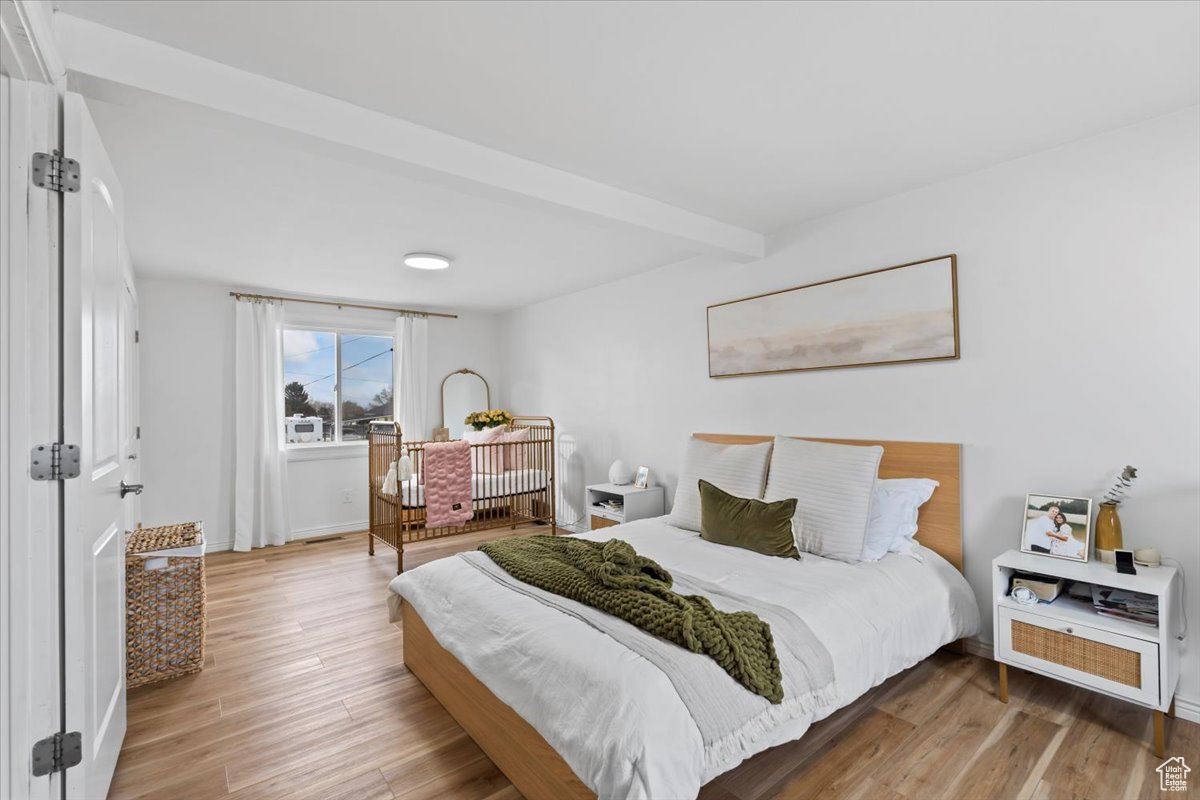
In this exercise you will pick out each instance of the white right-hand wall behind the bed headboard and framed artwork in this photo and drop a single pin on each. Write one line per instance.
(1079, 279)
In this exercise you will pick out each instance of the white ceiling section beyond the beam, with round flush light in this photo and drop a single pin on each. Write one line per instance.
(243, 209)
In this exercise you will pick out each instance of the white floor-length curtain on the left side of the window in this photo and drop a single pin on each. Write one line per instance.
(261, 477)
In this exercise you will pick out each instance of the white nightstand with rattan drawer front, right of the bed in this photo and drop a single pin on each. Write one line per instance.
(1069, 641)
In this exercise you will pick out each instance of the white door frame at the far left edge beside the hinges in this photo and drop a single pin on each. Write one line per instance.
(29, 417)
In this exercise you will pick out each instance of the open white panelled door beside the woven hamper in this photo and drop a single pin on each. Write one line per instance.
(95, 396)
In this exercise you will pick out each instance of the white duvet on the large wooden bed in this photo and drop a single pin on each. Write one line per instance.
(614, 717)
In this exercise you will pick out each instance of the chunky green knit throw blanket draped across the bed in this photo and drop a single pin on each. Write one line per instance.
(613, 578)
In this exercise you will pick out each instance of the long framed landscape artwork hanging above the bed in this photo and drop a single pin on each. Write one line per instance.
(892, 316)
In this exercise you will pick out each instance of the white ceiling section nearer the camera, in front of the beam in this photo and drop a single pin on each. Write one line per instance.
(759, 115)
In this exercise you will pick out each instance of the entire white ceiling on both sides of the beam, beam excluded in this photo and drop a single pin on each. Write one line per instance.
(755, 115)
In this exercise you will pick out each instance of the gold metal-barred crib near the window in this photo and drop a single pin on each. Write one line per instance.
(500, 497)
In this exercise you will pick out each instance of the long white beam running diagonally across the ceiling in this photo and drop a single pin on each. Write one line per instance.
(109, 57)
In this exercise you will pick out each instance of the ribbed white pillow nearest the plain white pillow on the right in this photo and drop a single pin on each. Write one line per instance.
(833, 485)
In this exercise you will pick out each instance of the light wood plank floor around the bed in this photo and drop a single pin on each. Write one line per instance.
(307, 696)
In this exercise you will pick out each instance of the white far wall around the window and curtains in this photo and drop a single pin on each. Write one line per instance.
(188, 446)
